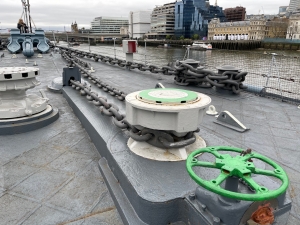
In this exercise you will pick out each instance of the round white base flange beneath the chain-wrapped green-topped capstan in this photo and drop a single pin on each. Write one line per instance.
(148, 151)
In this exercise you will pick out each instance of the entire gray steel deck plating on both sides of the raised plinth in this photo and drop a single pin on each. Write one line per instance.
(50, 176)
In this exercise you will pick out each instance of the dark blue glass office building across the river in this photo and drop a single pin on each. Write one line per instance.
(192, 17)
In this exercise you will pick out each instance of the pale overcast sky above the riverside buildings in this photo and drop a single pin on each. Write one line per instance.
(55, 14)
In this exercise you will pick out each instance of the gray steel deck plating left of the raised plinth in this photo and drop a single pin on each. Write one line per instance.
(51, 175)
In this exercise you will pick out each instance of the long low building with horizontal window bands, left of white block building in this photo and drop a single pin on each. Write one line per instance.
(108, 25)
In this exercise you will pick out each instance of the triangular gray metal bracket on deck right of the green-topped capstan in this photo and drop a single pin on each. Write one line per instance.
(228, 120)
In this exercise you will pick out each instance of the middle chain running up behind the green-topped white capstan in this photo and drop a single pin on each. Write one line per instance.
(82, 68)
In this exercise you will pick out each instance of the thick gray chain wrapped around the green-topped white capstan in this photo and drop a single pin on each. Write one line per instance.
(158, 138)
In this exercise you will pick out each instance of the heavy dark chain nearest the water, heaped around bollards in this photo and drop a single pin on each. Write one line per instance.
(184, 73)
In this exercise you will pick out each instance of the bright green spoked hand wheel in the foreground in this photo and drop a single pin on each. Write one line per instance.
(240, 167)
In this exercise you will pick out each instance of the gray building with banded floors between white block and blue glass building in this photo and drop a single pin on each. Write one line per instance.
(162, 21)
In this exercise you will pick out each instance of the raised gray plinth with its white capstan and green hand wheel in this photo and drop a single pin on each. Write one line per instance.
(214, 186)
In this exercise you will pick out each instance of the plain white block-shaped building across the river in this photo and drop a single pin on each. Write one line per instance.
(139, 23)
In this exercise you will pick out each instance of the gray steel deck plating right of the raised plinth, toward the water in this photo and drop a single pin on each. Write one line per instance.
(274, 125)
